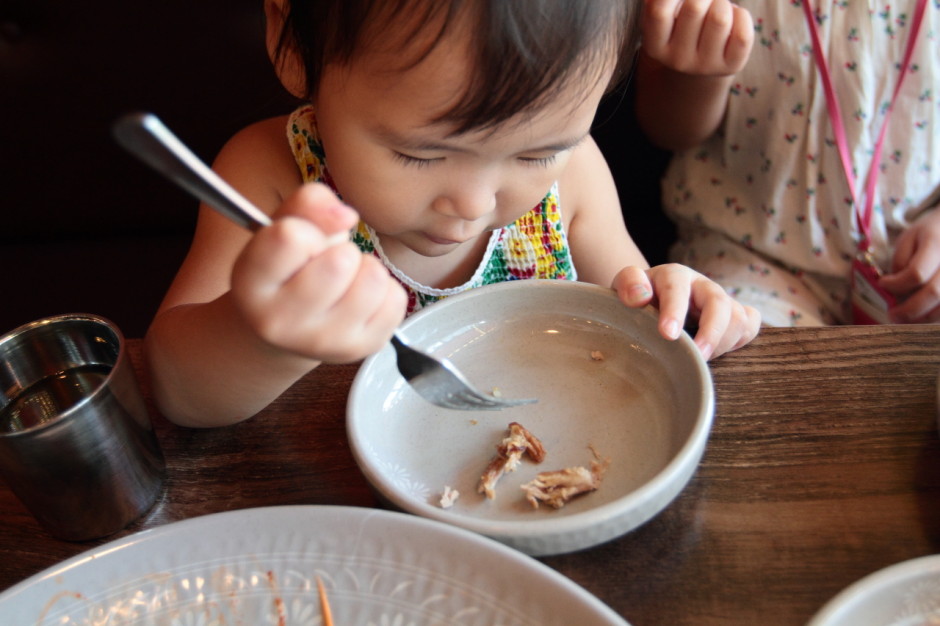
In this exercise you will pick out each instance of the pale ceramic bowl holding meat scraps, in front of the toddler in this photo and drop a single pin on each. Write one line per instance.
(647, 405)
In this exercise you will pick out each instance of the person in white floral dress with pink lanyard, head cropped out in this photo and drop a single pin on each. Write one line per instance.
(814, 207)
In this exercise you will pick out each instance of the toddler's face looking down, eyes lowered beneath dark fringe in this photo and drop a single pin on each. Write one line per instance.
(420, 188)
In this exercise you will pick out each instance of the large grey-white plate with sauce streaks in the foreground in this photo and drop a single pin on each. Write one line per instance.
(259, 566)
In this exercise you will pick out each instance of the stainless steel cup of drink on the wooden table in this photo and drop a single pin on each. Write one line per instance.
(76, 442)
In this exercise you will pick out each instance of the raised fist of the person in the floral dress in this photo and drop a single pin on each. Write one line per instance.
(700, 37)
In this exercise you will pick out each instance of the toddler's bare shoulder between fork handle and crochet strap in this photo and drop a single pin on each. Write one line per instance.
(259, 163)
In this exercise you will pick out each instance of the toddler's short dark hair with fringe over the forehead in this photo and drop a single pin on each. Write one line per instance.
(525, 50)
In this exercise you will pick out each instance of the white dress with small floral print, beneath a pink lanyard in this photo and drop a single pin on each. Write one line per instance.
(763, 207)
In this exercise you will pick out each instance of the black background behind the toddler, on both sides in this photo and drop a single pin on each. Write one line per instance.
(86, 227)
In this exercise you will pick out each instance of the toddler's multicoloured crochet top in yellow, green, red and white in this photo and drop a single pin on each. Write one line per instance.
(534, 246)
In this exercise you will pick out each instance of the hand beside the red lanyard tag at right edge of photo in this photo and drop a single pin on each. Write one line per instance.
(915, 272)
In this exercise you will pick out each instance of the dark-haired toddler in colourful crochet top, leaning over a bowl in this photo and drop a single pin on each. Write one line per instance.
(460, 133)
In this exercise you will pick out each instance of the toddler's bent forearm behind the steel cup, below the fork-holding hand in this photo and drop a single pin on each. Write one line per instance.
(208, 369)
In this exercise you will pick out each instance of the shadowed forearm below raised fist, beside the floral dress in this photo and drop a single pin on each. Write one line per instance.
(678, 111)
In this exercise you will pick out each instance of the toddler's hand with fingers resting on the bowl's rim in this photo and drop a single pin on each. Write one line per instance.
(679, 291)
